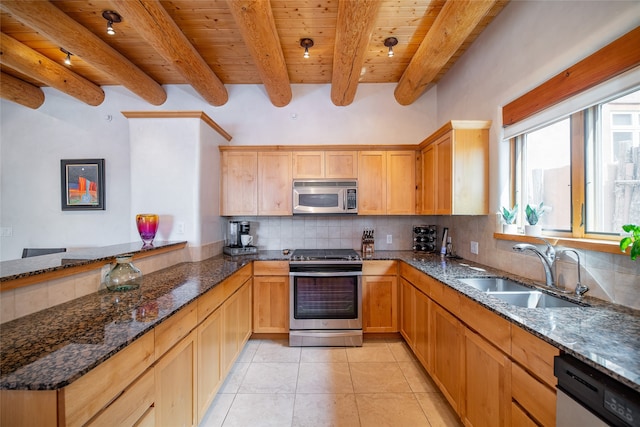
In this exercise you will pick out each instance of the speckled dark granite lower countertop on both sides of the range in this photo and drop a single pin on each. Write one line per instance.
(52, 348)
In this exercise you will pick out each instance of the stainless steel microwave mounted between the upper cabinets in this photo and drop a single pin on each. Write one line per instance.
(325, 196)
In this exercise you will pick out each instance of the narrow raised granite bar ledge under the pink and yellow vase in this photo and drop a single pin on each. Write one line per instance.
(33, 266)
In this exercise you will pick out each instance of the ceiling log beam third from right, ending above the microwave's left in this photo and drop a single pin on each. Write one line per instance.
(258, 29)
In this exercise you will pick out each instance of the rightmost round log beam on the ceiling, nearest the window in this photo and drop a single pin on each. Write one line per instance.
(455, 22)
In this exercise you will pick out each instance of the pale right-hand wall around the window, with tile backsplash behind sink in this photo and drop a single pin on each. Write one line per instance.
(529, 42)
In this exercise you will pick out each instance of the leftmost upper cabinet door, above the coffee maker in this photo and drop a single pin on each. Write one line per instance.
(239, 186)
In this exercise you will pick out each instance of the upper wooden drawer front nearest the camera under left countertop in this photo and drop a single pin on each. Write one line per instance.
(85, 397)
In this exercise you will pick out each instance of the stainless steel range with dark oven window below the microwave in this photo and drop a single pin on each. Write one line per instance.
(326, 298)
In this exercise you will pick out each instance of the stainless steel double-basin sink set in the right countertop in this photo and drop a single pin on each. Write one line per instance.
(516, 294)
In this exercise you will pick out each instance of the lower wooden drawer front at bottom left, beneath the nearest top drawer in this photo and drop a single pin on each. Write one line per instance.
(131, 406)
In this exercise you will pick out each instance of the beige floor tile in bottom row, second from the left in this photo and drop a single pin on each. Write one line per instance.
(262, 410)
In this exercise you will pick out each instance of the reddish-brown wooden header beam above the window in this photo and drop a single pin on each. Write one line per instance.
(617, 57)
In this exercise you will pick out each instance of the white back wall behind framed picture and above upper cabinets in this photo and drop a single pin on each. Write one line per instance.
(32, 142)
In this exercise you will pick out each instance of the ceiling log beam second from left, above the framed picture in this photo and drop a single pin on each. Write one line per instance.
(22, 58)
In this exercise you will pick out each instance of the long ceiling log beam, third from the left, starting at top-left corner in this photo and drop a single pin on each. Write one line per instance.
(61, 29)
